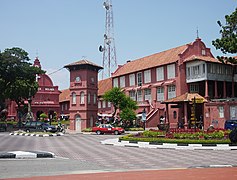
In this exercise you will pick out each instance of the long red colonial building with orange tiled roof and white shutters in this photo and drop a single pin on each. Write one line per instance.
(184, 85)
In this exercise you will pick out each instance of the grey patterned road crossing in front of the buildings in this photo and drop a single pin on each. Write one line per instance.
(78, 153)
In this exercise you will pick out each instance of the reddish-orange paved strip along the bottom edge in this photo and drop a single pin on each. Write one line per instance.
(170, 174)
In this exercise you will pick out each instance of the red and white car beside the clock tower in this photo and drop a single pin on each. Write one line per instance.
(107, 128)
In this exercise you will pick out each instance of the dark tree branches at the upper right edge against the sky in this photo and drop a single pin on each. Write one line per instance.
(228, 41)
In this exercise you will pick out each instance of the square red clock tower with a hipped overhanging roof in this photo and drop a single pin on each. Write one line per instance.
(83, 94)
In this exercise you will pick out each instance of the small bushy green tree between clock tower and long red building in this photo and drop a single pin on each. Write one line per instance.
(122, 102)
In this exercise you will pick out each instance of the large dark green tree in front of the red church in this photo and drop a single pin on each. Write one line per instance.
(17, 76)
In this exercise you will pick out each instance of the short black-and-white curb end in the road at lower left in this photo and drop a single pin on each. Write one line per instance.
(26, 154)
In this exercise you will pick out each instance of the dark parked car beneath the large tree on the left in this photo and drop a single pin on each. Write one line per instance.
(37, 126)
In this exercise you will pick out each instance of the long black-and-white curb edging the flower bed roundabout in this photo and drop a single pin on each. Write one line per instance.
(116, 142)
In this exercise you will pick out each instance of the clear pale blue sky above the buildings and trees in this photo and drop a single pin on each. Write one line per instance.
(61, 32)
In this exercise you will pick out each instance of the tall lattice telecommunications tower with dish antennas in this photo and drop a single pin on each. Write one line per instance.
(108, 49)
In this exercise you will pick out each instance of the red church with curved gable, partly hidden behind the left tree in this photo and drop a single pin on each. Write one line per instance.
(45, 100)
